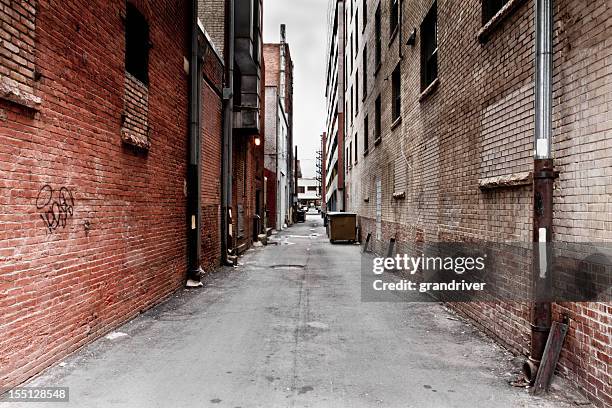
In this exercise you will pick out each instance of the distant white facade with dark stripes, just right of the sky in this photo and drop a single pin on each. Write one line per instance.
(333, 151)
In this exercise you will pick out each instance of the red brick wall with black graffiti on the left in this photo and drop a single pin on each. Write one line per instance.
(91, 232)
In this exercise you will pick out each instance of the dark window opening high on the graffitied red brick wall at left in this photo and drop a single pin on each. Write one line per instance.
(137, 44)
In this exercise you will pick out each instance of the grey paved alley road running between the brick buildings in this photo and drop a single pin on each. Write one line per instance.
(287, 328)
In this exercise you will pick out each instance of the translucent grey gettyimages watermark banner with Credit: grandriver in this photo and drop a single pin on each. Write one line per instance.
(477, 272)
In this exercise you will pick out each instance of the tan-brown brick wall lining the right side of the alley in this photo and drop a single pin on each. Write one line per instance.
(477, 125)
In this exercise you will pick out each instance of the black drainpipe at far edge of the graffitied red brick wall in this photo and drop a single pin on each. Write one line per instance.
(193, 171)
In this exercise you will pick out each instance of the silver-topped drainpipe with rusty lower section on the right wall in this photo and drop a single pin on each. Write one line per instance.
(543, 179)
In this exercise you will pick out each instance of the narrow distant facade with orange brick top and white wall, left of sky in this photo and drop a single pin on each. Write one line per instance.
(279, 167)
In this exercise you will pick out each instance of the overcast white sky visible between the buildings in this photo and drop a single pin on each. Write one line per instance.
(306, 34)
